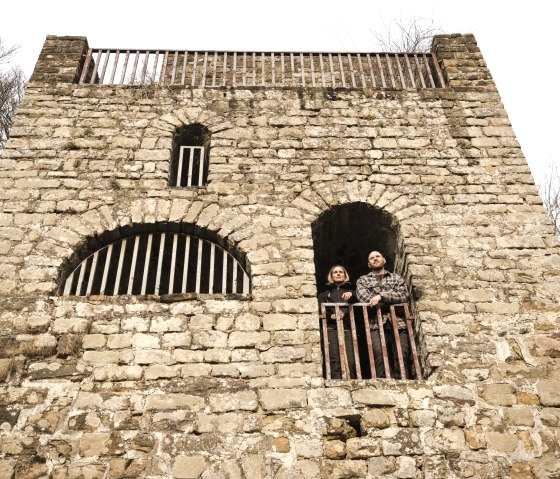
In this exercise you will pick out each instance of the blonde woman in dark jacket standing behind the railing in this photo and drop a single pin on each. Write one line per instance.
(339, 290)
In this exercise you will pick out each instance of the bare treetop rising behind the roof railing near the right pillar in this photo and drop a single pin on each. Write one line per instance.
(413, 35)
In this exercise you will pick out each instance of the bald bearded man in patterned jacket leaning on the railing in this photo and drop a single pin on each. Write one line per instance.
(380, 287)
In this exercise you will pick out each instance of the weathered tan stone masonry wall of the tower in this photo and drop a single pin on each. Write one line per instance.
(115, 387)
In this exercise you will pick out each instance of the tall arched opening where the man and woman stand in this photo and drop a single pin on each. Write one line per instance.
(345, 235)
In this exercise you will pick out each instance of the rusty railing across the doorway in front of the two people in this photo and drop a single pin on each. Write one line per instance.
(362, 322)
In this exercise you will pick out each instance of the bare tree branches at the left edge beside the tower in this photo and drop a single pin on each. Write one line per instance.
(12, 86)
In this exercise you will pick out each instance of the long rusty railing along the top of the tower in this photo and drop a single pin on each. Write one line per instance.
(213, 69)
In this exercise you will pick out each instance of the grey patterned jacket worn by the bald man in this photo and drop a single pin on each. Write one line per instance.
(390, 286)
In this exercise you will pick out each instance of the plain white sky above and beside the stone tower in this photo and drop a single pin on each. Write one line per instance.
(518, 39)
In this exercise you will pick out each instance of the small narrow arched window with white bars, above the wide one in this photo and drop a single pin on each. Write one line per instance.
(190, 156)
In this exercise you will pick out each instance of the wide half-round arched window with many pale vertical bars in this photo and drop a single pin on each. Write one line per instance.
(156, 259)
